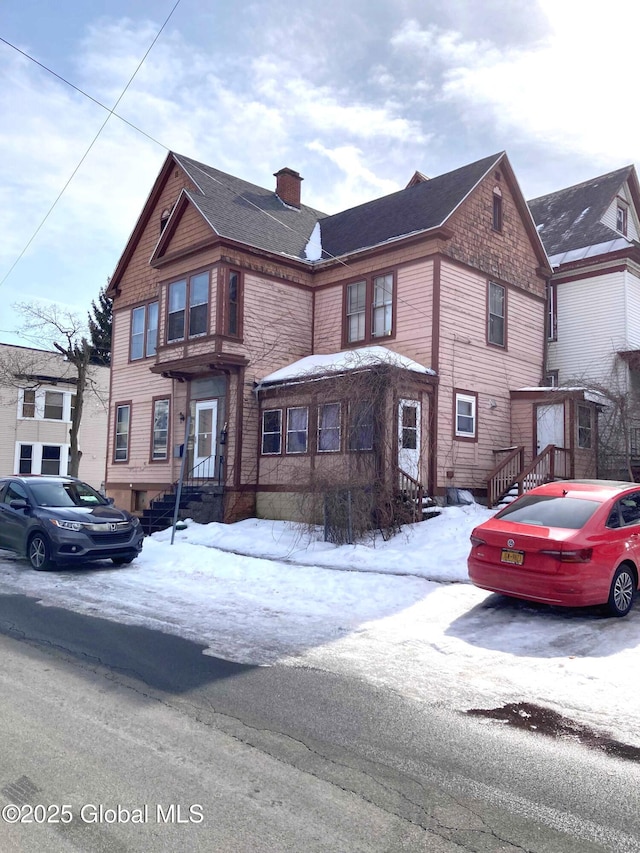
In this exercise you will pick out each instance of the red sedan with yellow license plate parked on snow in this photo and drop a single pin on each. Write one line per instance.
(572, 542)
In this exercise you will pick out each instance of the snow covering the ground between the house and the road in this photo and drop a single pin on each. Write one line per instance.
(400, 613)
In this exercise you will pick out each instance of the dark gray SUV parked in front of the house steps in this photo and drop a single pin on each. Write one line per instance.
(54, 520)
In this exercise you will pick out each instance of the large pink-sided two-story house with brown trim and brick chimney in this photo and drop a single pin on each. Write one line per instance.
(400, 343)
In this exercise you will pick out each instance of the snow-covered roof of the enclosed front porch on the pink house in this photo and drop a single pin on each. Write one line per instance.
(329, 364)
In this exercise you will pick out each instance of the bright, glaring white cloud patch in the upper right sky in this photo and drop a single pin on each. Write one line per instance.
(565, 91)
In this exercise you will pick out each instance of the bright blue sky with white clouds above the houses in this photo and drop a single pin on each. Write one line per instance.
(354, 94)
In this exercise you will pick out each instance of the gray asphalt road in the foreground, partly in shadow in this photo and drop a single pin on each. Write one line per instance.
(153, 746)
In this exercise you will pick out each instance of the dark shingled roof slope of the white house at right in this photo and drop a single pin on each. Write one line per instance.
(571, 219)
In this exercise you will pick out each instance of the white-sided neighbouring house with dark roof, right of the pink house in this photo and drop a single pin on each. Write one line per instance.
(591, 232)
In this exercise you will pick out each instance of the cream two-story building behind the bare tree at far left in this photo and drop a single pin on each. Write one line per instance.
(37, 395)
